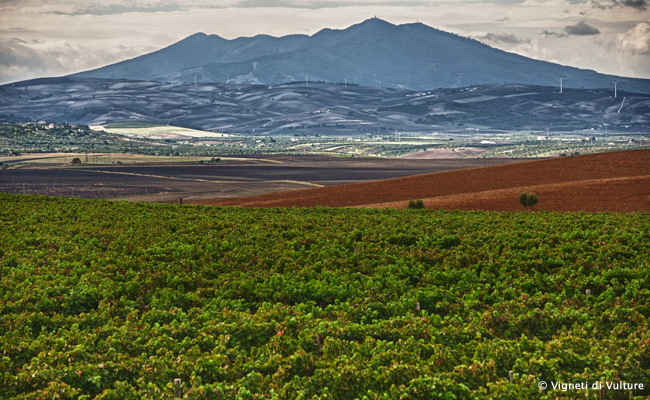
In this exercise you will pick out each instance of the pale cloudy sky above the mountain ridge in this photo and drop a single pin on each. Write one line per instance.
(52, 37)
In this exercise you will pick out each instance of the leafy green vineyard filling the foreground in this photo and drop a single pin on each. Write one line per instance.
(115, 300)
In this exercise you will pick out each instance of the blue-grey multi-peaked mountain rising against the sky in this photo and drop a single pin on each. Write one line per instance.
(372, 53)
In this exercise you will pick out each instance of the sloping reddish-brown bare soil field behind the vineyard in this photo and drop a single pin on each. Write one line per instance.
(615, 182)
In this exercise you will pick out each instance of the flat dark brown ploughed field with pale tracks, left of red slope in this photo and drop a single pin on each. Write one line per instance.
(166, 182)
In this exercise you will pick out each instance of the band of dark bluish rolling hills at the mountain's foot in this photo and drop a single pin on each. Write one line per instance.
(298, 108)
